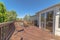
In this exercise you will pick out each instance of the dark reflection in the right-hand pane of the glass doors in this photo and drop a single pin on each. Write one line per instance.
(49, 20)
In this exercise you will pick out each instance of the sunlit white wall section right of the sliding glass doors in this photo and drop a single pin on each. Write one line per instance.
(57, 29)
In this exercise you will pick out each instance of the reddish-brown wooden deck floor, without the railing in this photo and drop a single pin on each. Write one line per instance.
(31, 33)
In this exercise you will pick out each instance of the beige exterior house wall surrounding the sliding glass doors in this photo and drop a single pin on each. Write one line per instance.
(55, 8)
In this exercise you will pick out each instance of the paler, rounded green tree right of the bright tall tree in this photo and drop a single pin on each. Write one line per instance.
(10, 16)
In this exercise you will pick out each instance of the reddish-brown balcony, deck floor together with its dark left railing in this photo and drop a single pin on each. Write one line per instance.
(14, 31)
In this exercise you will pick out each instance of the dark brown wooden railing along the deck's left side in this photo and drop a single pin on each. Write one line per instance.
(6, 30)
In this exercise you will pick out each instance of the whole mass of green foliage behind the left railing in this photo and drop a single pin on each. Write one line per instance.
(6, 15)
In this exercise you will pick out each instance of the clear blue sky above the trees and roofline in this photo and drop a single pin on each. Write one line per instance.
(28, 7)
